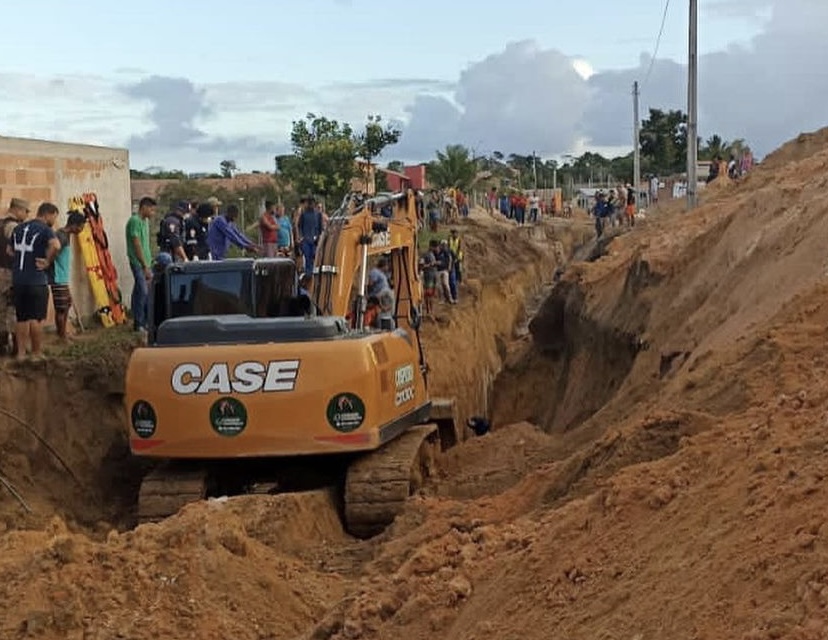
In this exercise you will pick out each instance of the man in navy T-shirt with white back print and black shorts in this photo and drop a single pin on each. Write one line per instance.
(34, 247)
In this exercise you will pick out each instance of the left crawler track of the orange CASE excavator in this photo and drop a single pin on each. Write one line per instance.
(165, 490)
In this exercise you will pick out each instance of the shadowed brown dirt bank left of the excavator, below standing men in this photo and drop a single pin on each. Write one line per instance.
(62, 441)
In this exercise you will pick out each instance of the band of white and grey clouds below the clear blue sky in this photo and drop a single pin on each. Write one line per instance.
(520, 99)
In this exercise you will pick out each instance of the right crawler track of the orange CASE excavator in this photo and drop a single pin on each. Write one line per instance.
(378, 484)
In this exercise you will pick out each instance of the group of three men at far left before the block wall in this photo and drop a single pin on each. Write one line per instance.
(34, 259)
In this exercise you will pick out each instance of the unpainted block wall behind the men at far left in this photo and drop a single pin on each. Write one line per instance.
(42, 171)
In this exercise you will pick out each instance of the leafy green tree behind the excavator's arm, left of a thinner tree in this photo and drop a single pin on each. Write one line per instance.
(324, 157)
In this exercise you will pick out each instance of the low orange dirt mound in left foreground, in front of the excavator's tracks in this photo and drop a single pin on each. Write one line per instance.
(220, 569)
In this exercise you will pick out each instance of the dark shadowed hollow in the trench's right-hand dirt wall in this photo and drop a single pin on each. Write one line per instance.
(570, 363)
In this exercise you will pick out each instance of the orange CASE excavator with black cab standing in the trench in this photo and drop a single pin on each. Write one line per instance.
(249, 384)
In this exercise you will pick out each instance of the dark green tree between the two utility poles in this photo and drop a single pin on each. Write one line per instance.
(664, 141)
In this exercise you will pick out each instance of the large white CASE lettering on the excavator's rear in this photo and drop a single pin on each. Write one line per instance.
(246, 377)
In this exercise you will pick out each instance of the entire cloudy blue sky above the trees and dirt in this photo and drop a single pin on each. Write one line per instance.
(186, 84)
